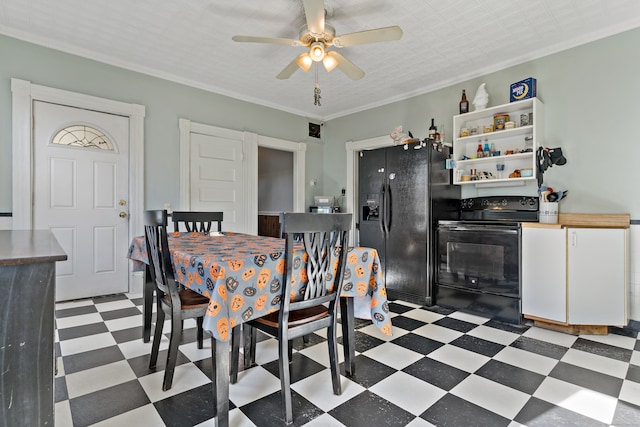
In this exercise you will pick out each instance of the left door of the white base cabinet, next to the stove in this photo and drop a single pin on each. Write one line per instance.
(544, 273)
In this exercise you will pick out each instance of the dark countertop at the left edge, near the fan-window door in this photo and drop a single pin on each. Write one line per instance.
(29, 247)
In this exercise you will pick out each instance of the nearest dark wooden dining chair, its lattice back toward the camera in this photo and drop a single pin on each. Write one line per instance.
(323, 242)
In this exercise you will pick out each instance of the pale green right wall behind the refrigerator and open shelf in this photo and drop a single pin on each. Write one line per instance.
(591, 110)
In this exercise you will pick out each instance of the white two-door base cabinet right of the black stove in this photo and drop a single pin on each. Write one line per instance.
(575, 276)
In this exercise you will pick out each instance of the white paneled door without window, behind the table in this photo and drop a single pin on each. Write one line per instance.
(217, 177)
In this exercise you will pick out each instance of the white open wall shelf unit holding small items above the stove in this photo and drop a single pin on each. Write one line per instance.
(521, 142)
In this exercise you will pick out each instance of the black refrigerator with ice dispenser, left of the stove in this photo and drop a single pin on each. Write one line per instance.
(403, 192)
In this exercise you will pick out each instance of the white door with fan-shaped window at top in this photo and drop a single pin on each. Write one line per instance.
(80, 192)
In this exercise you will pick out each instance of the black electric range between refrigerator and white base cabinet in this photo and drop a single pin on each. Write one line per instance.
(478, 265)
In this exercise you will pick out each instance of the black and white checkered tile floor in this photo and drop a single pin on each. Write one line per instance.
(441, 367)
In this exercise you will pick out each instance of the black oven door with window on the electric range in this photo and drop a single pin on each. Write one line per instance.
(483, 258)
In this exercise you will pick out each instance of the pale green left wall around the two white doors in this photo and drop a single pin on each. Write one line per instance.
(165, 103)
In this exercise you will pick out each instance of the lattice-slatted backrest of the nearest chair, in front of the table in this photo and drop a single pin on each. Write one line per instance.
(324, 239)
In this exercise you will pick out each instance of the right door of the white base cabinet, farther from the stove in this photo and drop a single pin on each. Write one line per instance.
(596, 276)
